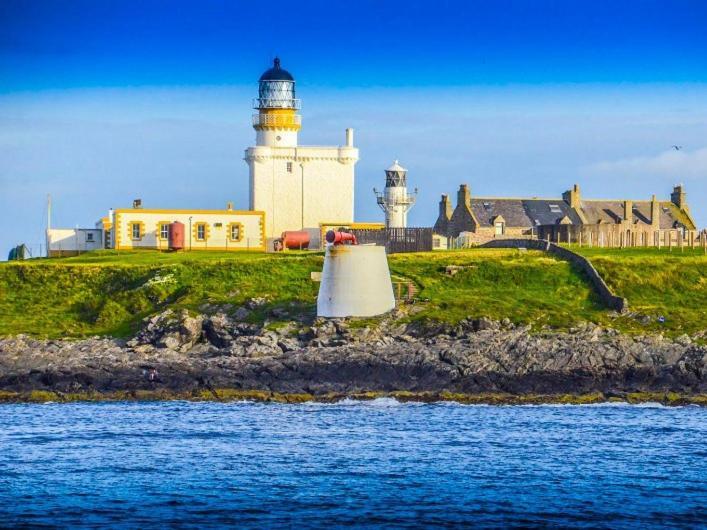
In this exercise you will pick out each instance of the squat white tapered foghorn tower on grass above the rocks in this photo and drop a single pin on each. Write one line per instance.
(355, 282)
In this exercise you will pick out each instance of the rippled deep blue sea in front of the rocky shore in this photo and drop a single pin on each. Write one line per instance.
(375, 464)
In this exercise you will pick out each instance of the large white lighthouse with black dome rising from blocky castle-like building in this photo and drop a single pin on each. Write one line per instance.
(297, 187)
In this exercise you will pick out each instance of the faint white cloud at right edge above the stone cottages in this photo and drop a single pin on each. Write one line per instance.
(672, 163)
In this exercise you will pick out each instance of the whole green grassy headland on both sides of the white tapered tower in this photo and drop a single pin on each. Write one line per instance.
(109, 292)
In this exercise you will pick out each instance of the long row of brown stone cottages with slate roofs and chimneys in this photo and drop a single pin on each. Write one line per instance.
(570, 218)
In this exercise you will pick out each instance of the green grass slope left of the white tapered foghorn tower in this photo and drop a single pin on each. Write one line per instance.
(109, 292)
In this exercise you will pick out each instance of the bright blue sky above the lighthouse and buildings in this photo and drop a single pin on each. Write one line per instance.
(105, 101)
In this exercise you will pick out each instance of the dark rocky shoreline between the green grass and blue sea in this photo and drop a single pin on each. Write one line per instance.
(223, 357)
